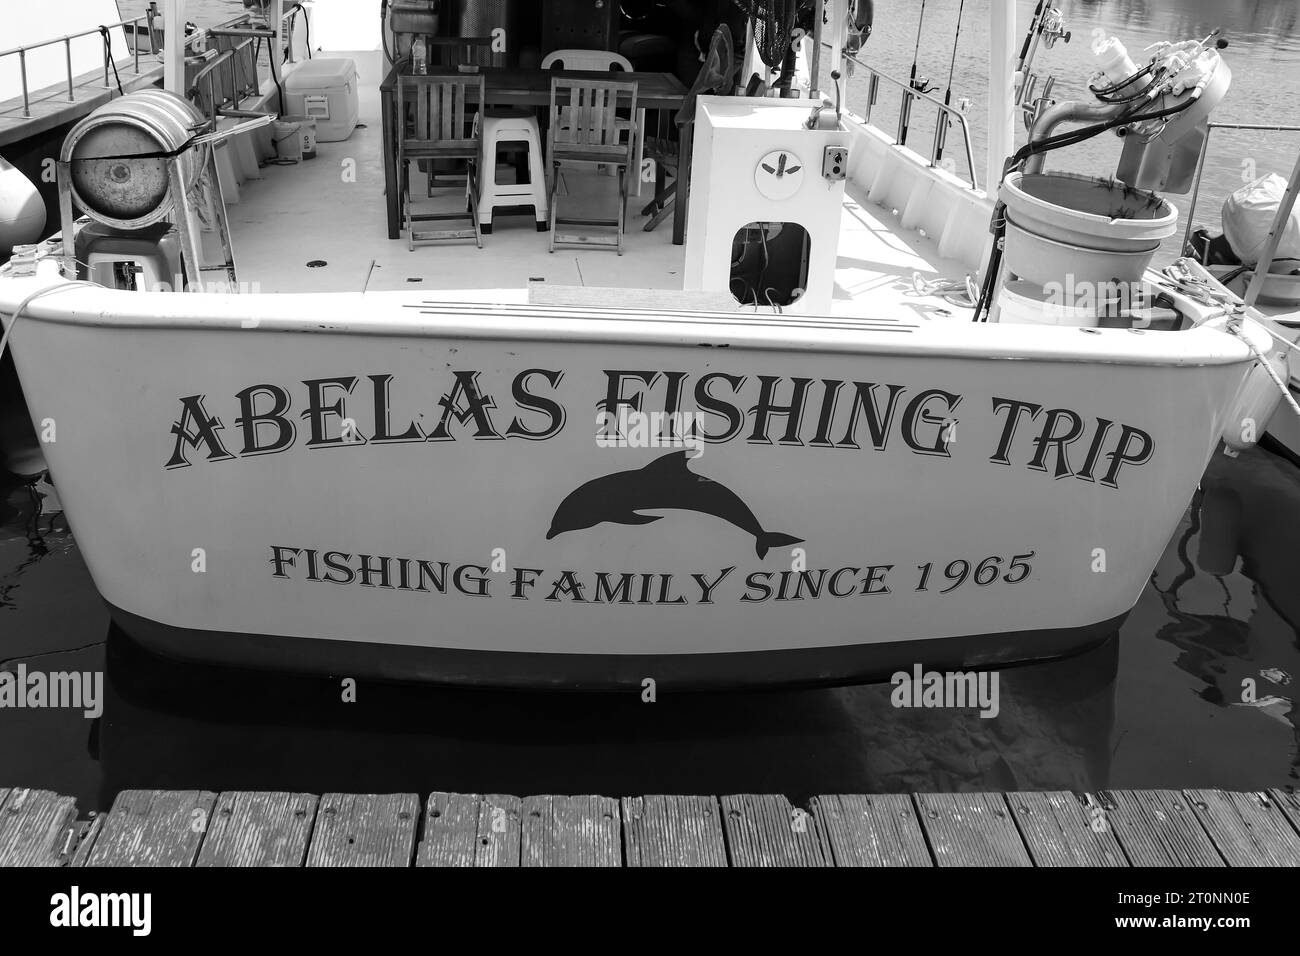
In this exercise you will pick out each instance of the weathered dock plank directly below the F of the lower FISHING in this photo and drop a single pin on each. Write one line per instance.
(259, 830)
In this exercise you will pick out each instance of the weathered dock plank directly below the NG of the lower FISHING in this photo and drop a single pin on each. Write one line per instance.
(470, 830)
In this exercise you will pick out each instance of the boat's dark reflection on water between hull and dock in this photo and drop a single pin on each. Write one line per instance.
(170, 725)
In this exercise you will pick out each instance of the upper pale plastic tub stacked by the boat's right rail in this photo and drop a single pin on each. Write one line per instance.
(1065, 226)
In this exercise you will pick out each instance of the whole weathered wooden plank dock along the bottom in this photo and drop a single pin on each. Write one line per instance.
(1151, 828)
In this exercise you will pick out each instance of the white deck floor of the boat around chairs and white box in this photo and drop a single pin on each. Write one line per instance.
(331, 210)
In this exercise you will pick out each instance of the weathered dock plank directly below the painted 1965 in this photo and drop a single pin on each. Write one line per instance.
(972, 830)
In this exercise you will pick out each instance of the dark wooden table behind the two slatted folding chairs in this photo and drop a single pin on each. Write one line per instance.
(510, 86)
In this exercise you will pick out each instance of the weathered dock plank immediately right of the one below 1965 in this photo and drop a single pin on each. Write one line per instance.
(1060, 830)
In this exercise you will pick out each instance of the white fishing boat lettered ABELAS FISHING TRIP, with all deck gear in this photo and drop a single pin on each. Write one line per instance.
(848, 414)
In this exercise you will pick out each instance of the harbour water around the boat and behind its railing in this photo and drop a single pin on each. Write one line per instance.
(1160, 706)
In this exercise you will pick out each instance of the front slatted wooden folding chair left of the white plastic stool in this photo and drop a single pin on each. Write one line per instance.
(440, 129)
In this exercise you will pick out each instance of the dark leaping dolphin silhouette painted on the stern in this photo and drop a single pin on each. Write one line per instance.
(665, 485)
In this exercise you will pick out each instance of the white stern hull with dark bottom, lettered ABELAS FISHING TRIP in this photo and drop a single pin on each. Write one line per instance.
(375, 486)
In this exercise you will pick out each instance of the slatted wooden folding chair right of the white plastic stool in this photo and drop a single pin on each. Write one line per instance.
(584, 128)
